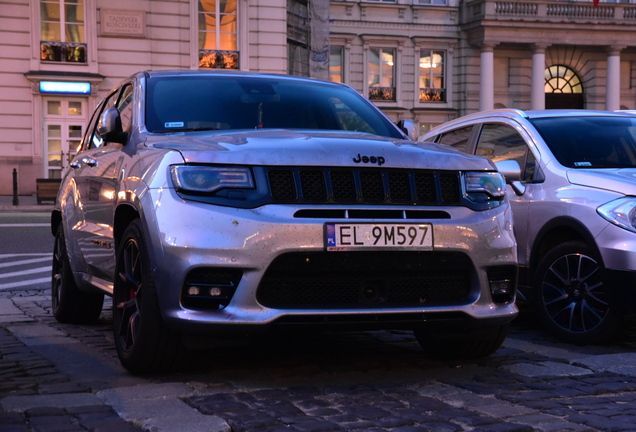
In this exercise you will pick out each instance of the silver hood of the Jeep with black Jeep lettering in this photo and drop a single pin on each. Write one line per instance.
(314, 148)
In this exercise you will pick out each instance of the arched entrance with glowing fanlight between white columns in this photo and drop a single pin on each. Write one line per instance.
(563, 88)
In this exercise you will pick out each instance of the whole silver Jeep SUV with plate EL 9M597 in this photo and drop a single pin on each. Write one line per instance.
(207, 202)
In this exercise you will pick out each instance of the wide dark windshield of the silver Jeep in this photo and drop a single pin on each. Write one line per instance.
(186, 103)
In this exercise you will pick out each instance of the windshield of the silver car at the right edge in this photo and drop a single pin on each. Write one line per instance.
(590, 142)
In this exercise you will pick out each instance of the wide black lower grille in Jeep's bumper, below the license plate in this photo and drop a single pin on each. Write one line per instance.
(366, 279)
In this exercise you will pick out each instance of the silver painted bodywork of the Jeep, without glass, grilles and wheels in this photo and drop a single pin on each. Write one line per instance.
(185, 234)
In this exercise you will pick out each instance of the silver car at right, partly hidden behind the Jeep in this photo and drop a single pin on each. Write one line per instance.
(572, 186)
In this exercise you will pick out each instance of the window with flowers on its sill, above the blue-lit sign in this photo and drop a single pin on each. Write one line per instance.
(62, 31)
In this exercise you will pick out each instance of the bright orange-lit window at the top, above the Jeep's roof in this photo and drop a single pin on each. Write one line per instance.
(218, 34)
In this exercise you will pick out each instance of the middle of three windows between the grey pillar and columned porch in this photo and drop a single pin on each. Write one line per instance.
(381, 74)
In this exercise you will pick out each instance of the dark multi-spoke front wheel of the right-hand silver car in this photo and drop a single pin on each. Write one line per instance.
(572, 298)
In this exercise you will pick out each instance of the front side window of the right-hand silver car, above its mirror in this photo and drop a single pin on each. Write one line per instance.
(501, 142)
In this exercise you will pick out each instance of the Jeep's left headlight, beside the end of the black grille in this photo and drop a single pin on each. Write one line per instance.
(204, 178)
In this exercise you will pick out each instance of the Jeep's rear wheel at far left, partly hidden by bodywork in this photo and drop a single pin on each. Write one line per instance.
(70, 304)
